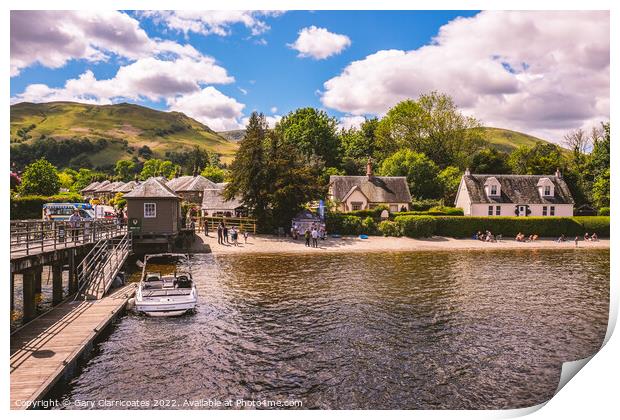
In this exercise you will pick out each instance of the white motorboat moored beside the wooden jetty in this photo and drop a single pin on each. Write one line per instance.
(165, 294)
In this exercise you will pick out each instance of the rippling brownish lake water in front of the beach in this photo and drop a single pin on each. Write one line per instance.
(416, 330)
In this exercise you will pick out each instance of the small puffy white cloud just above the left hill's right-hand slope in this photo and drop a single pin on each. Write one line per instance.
(211, 107)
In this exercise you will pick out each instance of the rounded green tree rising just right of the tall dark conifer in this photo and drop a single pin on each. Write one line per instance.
(312, 133)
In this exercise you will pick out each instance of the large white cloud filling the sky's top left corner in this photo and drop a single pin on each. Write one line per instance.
(52, 38)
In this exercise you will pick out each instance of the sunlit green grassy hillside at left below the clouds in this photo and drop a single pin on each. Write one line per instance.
(125, 127)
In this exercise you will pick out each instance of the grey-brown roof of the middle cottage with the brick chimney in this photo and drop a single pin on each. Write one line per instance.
(377, 189)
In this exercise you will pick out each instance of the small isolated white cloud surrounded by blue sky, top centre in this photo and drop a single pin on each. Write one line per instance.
(319, 43)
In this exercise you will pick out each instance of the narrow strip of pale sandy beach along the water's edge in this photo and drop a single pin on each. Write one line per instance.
(269, 244)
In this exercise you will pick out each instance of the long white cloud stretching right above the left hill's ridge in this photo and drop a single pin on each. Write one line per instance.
(146, 78)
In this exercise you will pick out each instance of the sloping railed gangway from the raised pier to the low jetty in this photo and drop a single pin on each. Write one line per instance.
(98, 269)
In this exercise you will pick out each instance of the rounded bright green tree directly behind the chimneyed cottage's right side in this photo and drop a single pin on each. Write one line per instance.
(421, 173)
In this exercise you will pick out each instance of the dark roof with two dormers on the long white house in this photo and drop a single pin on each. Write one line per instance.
(518, 189)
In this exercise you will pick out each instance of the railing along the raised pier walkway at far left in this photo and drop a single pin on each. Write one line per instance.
(30, 237)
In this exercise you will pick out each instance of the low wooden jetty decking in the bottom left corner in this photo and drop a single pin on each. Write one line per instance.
(45, 349)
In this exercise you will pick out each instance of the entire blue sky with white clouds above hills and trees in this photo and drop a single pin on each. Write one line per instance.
(543, 73)
